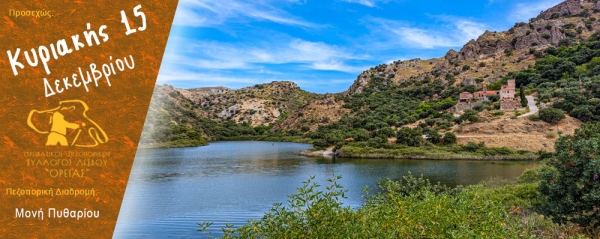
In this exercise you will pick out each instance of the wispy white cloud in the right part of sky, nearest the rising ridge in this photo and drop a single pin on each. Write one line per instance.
(455, 32)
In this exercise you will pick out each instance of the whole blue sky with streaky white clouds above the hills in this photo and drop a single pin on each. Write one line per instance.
(322, 45)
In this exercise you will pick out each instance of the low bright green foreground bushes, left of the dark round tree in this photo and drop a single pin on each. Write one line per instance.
(409, 208)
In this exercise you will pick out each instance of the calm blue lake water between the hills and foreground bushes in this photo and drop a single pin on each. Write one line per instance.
(170, 190)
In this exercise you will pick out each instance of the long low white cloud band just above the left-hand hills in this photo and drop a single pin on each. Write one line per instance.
(249, 55)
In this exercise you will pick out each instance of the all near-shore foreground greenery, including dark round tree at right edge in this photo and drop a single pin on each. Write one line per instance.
(557, 200)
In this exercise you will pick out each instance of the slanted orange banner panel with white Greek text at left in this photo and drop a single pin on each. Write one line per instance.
(76, 82)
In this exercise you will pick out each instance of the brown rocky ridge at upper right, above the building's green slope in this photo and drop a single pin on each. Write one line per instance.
(494, 54)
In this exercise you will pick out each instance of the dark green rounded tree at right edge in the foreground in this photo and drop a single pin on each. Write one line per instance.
(572, 187)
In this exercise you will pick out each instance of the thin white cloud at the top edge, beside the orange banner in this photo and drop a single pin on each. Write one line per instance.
(206, 13)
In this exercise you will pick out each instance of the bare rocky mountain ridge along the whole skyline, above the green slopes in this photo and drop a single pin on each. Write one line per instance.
(284, 107)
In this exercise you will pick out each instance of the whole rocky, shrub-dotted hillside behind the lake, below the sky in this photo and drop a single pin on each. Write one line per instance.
(553, 57)
